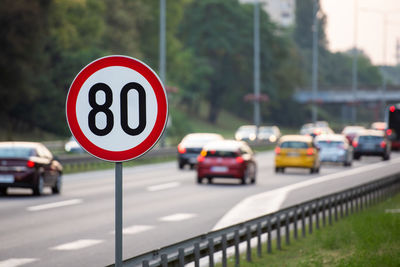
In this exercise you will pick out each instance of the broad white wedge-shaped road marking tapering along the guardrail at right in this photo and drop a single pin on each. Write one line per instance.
(271, 201)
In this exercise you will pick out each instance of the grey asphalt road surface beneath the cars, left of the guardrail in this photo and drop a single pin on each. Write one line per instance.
(93, 219)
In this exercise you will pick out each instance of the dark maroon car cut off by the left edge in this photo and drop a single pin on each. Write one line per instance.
(29, 165)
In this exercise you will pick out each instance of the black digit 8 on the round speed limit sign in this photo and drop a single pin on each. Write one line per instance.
(104, 108)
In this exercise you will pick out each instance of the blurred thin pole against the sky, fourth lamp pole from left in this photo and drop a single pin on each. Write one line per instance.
(355, 66)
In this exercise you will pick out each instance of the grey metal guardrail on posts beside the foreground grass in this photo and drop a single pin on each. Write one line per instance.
(315, 213)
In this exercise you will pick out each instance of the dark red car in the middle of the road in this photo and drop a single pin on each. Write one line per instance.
(227, 159)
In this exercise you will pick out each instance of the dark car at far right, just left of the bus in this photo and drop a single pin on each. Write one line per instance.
(371, 143)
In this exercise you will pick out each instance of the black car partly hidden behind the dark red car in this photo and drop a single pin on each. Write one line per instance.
(191, 145)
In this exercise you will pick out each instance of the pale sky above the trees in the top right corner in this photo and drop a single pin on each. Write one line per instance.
(370, 29)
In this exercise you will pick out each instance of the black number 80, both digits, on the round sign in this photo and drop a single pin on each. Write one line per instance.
(105, 108)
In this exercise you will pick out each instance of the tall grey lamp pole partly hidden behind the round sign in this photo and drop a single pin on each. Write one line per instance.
(162, 62)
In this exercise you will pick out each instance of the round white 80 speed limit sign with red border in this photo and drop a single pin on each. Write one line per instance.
(117, 108)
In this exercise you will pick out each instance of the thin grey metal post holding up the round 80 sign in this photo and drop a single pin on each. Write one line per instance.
(118, 214)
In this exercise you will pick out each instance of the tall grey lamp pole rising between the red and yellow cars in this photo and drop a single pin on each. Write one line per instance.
(257, 117)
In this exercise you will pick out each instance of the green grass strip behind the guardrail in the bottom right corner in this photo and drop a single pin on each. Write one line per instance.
(370, 238)
